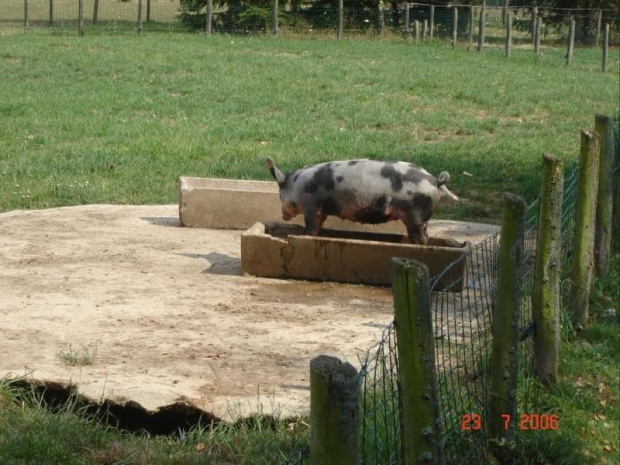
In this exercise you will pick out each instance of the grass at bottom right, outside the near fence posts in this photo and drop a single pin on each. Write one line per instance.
(587, 394)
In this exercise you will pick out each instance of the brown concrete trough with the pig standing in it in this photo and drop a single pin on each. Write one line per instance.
(276, 250)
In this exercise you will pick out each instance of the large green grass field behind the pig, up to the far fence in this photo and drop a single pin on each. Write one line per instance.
(116, 119)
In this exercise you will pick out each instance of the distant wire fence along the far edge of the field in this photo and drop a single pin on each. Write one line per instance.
(311, 17)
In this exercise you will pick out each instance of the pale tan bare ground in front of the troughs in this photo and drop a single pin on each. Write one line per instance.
(166, 315)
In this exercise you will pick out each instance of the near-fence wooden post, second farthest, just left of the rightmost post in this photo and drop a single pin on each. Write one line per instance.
(583, 246)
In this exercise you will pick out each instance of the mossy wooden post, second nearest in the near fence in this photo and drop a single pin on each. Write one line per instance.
(416, 352)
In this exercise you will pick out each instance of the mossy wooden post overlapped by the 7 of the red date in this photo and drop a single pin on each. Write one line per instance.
(502, 406)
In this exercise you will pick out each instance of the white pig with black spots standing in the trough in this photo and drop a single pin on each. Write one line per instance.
(363, 191)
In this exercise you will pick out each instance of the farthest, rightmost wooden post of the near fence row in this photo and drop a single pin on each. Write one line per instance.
(604, 204)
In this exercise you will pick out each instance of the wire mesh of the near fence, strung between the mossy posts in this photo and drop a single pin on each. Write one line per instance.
(462, 305)
